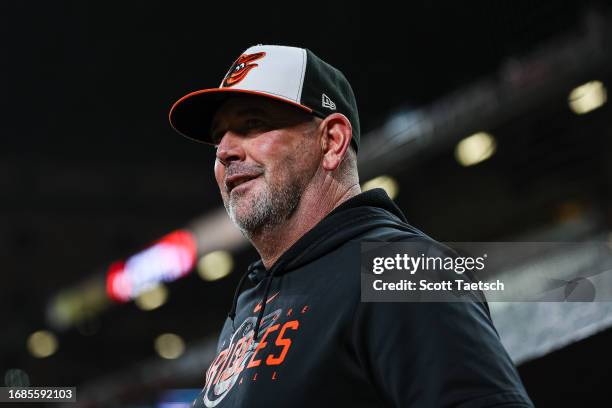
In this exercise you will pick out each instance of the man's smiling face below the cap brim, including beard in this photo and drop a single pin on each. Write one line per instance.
(267, 153)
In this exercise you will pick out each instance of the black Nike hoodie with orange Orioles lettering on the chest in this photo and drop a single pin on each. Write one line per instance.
(318, 345)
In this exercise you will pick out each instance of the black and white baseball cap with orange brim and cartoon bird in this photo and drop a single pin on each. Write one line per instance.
(292, 75)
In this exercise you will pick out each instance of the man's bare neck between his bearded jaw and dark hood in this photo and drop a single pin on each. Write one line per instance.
(271, 242)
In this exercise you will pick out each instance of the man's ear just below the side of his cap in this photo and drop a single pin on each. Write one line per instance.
(335, 140)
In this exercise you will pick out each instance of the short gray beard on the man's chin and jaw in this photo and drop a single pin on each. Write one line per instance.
(266, 209)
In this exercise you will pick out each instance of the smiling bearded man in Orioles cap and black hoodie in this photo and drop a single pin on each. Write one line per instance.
(286, 130)
